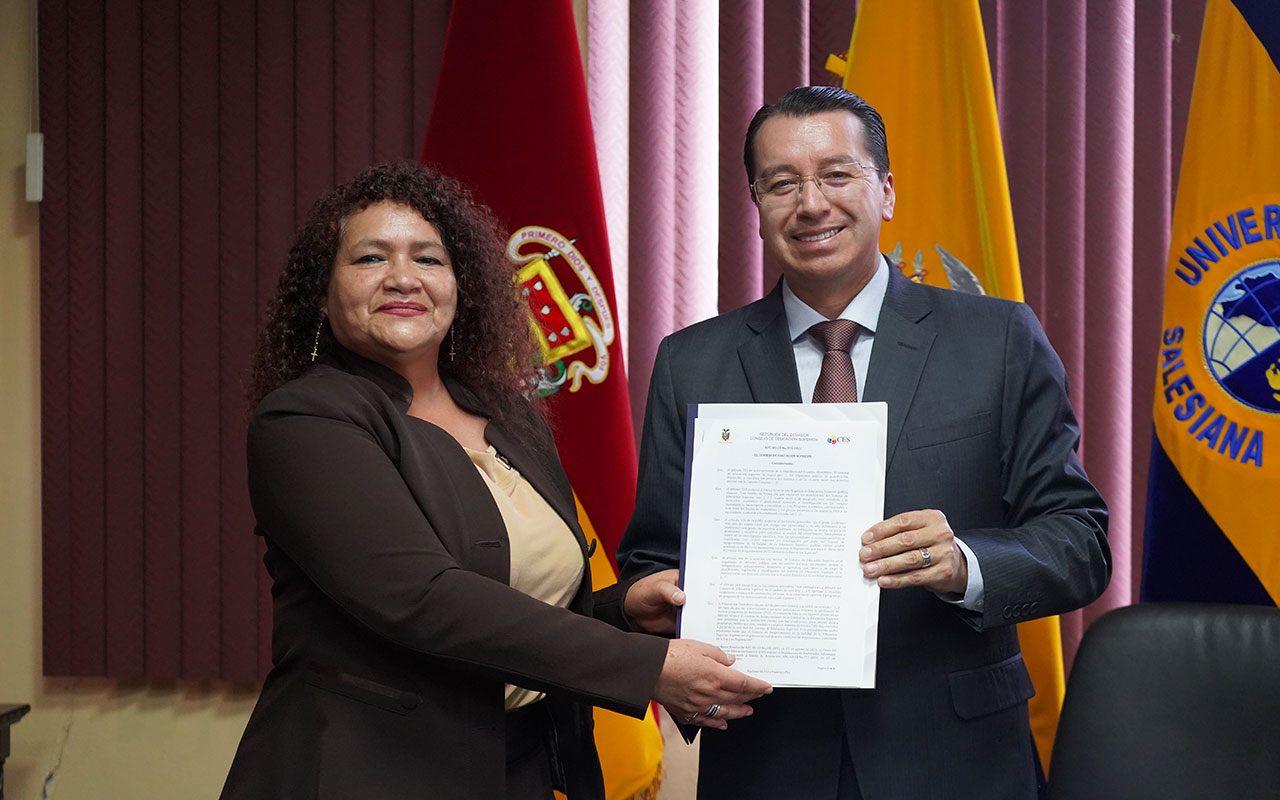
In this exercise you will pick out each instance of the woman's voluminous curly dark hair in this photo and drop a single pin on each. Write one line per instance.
(491, 330)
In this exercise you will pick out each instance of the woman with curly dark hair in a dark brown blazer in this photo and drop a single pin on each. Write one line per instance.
(435, 629)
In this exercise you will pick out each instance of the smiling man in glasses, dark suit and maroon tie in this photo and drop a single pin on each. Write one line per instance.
(990, 516)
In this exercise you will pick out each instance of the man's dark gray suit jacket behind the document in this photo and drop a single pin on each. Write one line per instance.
(980, 428)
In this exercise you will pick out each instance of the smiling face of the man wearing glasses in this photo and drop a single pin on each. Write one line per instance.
(829, 248)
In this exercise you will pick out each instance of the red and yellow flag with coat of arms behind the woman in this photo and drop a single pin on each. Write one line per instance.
(511, 121)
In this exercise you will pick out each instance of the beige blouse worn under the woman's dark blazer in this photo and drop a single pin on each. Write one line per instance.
(546, 559)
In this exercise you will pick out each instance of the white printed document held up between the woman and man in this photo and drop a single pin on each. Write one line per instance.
(778, 501)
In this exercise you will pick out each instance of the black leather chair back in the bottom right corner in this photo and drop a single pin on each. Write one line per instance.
(1173, 701)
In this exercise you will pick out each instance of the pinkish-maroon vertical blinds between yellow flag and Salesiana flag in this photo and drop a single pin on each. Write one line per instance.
(1094, 99)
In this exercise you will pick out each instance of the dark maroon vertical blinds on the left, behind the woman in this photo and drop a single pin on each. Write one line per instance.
(185, 141)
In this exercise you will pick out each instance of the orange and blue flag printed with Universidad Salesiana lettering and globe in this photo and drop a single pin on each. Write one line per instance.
(1213, 532)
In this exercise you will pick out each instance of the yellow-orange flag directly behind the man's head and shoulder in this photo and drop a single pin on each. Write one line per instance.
(953, 225)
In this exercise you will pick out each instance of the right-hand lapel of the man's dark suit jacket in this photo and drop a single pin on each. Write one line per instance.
(899, 355)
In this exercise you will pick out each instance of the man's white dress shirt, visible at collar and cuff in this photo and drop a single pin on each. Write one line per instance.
(865, 310)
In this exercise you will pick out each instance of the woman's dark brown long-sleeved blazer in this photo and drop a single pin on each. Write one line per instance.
(395, 628)
